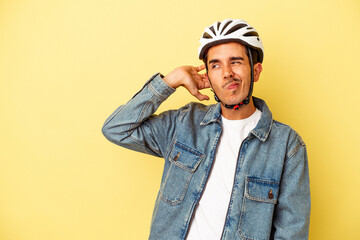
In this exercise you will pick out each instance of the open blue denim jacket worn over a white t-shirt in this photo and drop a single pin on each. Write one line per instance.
(271, 195)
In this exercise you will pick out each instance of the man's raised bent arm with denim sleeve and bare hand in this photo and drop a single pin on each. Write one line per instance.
(134, 124)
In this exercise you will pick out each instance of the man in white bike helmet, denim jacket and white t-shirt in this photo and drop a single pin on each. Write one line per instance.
(231, 171)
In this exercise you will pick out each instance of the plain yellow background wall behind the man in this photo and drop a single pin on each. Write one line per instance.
(66, 65)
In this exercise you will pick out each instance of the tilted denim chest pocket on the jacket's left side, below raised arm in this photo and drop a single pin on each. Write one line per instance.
(184, 160)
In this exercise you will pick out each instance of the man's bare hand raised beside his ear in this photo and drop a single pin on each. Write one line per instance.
(189, 77)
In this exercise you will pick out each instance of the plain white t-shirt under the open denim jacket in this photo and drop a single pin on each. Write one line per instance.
(209, 218)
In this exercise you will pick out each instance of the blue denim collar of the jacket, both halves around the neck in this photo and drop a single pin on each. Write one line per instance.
(262, 129)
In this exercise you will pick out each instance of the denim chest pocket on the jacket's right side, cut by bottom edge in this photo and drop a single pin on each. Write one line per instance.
(261, 195)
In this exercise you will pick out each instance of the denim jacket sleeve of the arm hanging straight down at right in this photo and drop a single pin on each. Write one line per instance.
(292, 213)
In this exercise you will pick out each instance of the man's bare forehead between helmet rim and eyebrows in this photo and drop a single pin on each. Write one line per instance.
(226, 50)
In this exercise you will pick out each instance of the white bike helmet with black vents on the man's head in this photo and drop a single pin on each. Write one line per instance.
(231, 30)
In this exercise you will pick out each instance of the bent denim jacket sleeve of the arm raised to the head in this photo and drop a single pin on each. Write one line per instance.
(134, 125)
